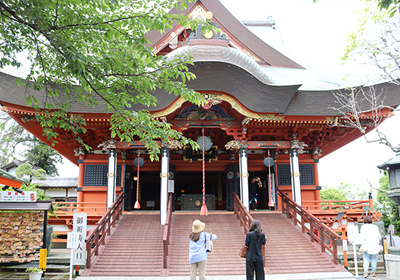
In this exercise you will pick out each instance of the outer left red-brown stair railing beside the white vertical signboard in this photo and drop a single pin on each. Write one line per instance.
(98, 234)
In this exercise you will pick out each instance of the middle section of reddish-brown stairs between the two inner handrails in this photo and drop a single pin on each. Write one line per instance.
(223, 260)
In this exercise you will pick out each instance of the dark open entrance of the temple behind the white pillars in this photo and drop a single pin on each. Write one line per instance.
(188, 186)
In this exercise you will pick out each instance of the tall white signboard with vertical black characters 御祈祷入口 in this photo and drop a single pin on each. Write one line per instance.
(80, 227)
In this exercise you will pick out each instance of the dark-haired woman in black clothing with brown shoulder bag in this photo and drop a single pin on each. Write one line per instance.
(255, 238)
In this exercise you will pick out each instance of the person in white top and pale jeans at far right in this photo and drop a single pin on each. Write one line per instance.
(370, 242)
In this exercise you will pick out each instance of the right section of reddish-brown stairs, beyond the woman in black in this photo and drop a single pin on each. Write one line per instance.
(290, 251)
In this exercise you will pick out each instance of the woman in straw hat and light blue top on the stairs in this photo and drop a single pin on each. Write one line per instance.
(197, 250)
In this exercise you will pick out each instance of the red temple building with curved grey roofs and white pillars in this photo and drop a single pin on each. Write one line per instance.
(265, 117)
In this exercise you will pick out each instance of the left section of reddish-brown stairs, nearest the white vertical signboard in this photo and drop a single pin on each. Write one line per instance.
(134, 249)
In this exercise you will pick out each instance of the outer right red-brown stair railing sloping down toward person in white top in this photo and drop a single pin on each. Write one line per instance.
(294, 211)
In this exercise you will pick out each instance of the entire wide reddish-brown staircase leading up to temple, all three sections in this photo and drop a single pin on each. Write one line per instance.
(135, 248)
